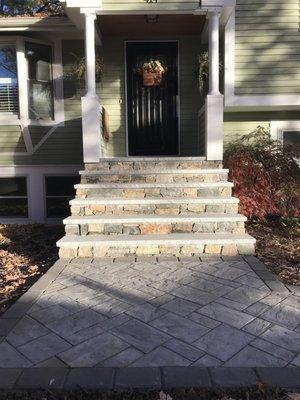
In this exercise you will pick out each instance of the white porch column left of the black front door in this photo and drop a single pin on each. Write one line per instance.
(91, 131)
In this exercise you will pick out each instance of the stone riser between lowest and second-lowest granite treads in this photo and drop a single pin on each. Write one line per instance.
(148, 228)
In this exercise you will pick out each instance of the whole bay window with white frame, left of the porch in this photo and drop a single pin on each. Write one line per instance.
(28, 85)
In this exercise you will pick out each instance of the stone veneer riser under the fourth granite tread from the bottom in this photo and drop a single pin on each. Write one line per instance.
(161, 192)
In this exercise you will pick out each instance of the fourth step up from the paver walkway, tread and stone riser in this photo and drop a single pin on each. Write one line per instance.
(142, 190)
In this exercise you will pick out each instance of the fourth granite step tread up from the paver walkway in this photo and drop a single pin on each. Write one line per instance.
(172, 185)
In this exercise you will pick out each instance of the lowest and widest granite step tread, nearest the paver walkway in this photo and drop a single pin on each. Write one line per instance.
(174, 239)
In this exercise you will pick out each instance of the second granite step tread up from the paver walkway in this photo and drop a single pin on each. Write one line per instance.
(143, 219)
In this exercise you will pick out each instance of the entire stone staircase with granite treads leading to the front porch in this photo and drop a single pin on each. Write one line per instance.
(154, 206)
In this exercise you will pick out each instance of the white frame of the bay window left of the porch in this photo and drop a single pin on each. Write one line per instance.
(57, 80)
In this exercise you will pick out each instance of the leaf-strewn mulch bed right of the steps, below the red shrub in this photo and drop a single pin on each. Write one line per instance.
(278, 246)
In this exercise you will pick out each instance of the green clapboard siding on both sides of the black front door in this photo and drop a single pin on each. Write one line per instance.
(113, 98)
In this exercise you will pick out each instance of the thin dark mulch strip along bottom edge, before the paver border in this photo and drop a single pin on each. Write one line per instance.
(260, 393)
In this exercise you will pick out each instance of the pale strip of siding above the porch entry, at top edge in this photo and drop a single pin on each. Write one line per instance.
(139, 5)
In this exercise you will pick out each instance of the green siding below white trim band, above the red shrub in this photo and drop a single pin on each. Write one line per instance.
(239, 124)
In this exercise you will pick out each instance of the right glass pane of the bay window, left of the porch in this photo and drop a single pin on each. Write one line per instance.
(40, 81)
